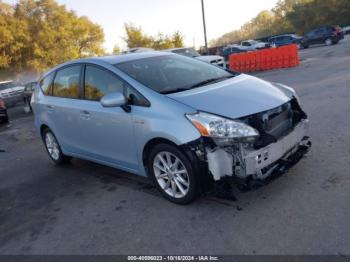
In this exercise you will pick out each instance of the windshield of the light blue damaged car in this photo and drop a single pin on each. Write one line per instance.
(172, 73)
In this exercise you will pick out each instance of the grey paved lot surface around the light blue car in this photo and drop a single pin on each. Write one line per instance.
(84, 208)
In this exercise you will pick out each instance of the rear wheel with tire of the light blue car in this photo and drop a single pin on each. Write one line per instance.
(53, 148)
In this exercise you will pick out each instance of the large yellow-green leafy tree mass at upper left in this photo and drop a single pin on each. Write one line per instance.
(39, 34)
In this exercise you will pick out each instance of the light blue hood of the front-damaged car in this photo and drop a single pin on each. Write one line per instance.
(237, 97)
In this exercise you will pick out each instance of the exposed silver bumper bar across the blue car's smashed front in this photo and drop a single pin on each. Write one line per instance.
(260, 164)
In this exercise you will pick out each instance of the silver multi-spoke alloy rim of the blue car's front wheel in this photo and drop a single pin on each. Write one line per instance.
(171, 174)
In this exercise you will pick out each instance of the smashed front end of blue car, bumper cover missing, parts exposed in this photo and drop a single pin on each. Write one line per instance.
(281, 143)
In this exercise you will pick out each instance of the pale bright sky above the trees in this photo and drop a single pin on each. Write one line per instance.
(167, 16)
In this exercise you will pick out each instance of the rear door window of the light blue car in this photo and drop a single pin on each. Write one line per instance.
(66, 83)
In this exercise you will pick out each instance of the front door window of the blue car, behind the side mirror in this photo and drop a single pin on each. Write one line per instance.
(99, 82)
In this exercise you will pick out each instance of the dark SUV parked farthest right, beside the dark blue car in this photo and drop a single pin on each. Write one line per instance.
(329, 35)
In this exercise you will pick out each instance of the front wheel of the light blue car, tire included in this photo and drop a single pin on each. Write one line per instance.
(163, 163)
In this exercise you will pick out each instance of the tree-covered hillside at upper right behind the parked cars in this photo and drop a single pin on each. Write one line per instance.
(288, 16)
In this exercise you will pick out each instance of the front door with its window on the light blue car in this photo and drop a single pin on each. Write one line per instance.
(107, 134)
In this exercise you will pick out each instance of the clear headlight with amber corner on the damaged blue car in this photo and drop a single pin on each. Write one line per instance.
(222, 130)
